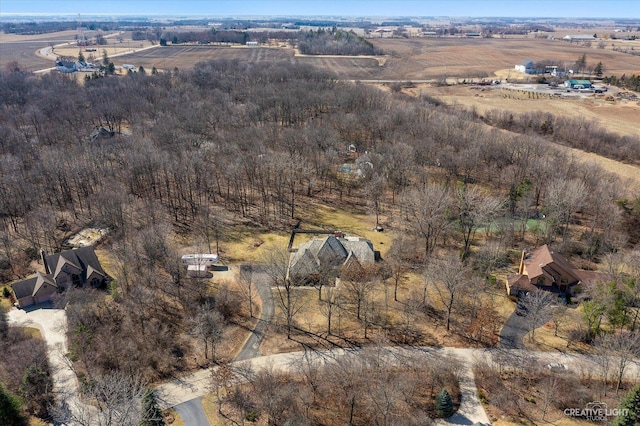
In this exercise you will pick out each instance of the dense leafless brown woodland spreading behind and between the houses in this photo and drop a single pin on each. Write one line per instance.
(227, 143)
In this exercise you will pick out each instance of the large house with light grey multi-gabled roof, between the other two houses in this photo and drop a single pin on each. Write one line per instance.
(330, 255)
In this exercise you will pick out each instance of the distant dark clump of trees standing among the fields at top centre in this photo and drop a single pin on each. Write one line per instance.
(335, 42)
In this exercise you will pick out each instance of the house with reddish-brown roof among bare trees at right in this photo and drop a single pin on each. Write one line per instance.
(543, 269)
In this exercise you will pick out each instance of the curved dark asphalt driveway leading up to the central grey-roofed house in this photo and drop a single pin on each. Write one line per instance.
(262, 282)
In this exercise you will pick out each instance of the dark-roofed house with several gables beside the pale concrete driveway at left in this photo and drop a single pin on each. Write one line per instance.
(77, 267)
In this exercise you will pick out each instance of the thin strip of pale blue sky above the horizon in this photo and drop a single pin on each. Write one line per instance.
(355, 8)
